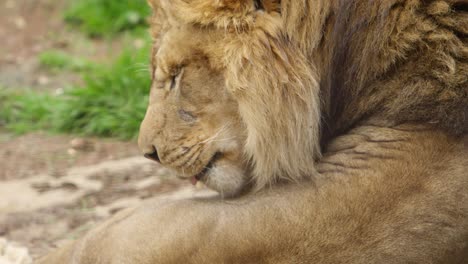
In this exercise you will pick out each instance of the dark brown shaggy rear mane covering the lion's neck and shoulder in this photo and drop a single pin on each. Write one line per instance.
(386, 62)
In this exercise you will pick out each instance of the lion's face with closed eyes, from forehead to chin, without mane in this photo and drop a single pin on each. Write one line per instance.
(192, 123)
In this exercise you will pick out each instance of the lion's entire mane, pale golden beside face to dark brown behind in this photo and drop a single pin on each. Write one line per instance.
(383, 62)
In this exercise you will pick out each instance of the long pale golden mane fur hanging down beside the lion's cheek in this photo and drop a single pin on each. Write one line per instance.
(278, 95)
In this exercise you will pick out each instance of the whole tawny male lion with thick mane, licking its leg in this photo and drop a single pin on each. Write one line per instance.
(340, 126)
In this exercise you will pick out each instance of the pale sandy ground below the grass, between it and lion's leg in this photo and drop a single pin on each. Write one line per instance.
(53, 190)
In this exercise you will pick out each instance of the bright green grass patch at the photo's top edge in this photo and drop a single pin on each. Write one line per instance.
(107, 17)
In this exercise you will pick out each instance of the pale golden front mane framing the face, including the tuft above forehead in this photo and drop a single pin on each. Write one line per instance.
(273, 82)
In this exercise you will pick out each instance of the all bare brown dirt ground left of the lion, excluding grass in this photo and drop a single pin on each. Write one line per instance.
(54, 188)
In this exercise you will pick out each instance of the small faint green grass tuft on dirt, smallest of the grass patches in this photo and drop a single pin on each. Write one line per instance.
(56, 60)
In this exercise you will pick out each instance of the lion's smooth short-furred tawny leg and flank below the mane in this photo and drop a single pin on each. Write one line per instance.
(384, 196)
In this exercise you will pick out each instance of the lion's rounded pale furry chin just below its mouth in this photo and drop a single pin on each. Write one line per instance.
(227, 179)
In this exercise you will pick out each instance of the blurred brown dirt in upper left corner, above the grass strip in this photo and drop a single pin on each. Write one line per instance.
(29, 27)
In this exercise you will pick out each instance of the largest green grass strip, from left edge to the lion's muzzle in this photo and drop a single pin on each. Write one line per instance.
(111, 103)
